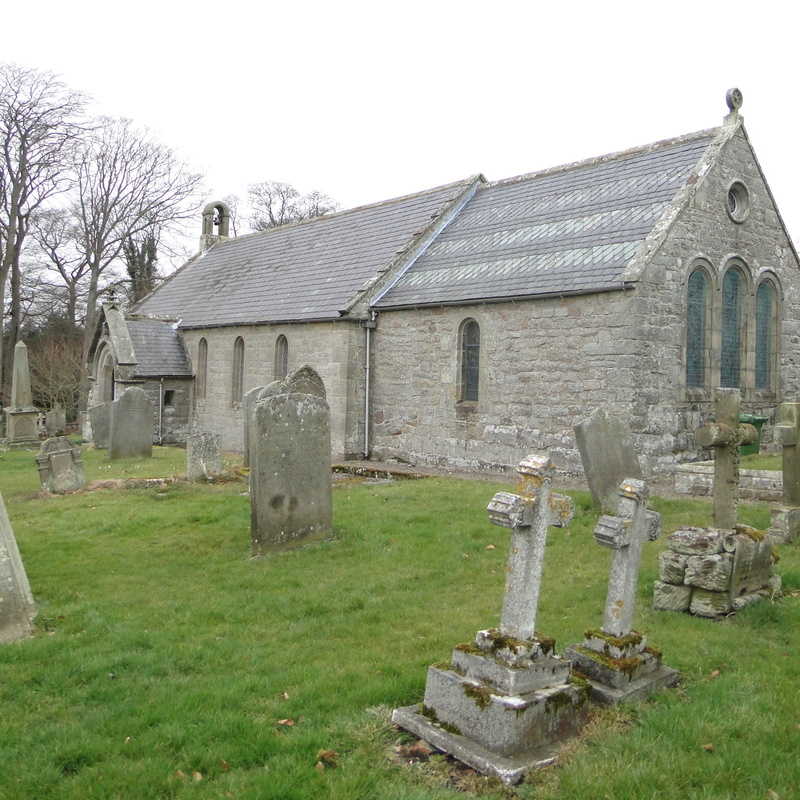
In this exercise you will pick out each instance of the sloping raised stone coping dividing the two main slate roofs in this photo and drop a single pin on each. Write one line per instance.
(386, 277)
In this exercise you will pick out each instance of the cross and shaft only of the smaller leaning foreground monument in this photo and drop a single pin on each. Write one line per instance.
(625, 533)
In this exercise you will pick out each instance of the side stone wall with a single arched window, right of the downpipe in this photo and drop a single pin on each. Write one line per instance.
(544, 365)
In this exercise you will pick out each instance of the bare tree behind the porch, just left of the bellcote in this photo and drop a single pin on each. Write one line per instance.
(126, 183)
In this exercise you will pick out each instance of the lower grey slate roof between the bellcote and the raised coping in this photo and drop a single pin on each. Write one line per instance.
(302, 271)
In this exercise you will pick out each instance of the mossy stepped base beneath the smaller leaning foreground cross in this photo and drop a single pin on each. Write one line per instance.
(620, 669)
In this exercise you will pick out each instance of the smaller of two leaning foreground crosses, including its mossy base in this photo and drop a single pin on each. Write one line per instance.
(615, 658)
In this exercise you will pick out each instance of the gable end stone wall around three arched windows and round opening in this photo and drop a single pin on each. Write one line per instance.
(666, 413)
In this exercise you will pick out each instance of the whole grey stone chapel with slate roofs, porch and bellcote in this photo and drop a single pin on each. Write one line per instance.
(470, 323)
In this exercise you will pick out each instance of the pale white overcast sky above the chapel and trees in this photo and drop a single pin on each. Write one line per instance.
(367, 101)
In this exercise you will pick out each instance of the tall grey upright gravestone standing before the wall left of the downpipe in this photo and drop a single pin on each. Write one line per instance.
(290, 463)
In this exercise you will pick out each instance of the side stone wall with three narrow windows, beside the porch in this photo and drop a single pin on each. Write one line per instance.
(333, 349)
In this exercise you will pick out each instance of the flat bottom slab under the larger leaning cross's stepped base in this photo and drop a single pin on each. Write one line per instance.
(509, 769)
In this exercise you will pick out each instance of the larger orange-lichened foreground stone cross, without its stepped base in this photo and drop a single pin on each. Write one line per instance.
(529, 514)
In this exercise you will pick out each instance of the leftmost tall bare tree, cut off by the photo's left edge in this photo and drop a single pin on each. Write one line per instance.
(40, 121)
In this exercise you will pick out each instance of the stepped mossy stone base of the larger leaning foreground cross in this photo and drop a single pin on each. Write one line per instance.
(502, 705)
